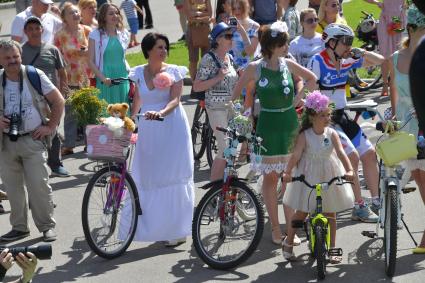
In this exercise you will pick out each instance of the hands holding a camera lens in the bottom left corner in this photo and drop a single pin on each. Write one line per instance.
(26, 263)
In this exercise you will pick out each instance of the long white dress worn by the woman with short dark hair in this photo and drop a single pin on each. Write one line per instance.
(163, 165)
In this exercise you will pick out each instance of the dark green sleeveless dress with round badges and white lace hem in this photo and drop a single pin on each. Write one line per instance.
(278, 122)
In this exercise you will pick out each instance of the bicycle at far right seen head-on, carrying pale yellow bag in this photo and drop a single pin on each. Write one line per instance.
(390, 215)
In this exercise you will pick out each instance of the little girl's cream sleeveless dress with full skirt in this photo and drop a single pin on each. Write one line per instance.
(319, 163)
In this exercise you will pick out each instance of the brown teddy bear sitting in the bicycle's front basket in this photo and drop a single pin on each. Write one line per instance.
(118, 119)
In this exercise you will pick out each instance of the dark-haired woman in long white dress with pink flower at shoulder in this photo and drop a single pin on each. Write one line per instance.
(163, 163)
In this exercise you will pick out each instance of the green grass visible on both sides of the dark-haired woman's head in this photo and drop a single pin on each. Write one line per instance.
(178, 55)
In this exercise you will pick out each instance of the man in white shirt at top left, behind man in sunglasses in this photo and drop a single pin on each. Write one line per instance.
(39, 8)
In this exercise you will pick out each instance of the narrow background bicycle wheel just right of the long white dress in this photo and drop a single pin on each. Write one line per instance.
(199, 132)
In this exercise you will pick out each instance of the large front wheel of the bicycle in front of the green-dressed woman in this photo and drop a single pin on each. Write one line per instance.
(221, 236)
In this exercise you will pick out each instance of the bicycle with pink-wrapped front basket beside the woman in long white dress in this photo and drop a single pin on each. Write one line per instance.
(111, 204)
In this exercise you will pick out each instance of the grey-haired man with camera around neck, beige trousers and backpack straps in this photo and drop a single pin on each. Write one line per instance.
(28, 120)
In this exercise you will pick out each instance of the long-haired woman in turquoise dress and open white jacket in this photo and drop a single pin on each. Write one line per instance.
(107, 45)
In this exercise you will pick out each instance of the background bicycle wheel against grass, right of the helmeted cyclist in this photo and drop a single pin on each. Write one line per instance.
(367, 78)
